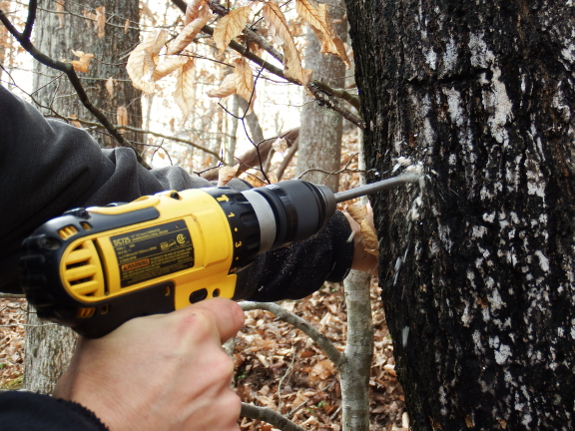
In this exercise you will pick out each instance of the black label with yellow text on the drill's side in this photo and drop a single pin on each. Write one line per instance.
(153, 252)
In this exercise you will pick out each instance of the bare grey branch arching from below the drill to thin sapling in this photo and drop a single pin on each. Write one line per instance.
(287, 316)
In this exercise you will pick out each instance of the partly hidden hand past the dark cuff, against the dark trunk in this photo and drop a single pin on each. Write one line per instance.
(365, 252)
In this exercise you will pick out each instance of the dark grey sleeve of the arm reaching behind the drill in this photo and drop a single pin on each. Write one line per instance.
(48, 167)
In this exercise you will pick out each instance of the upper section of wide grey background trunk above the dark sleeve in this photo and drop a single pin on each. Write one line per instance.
(58, 34)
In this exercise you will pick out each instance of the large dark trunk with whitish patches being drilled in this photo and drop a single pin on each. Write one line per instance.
(477, 266)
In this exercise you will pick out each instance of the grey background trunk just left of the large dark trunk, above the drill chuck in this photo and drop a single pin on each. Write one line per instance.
(319, 151)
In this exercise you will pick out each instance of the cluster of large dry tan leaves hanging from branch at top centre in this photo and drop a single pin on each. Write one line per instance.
(155, 58)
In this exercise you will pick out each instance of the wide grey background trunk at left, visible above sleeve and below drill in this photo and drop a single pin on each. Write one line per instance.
(49, 348)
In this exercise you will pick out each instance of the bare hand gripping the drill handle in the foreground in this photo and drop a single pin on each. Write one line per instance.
(161, 372)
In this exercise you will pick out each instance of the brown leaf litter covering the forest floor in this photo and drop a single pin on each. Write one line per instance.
(277, 366)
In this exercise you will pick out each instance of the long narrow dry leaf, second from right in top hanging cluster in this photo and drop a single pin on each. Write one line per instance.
(292, 61)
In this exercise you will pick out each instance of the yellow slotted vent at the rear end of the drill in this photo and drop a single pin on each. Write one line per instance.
(82, 271)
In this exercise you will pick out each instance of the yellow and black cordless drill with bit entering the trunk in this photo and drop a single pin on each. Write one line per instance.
(95, 268)
